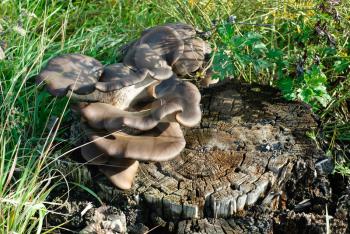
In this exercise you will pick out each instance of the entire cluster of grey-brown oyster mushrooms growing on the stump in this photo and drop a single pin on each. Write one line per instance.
(132, 111)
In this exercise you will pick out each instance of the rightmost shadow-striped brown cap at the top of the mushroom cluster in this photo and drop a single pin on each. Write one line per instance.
(192, 58)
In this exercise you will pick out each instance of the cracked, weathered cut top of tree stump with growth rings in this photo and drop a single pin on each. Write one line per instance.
(240, 155)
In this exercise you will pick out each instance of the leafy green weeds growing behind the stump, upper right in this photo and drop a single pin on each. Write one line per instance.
(302, 49)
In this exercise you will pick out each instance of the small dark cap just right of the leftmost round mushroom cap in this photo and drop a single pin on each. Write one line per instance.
(117, 76)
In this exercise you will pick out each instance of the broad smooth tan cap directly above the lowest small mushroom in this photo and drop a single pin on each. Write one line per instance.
(161, 143)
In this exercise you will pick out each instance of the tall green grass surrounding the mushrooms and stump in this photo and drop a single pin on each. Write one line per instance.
(32, 32)
